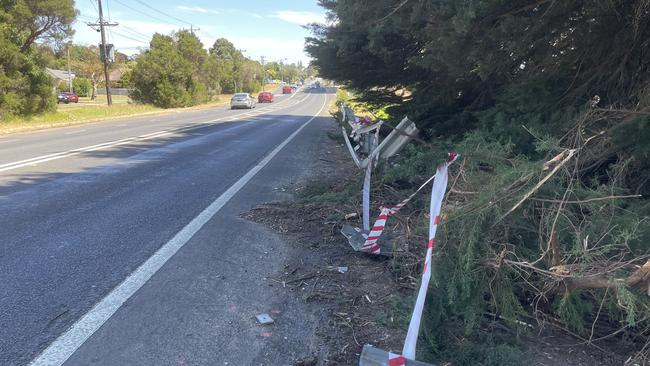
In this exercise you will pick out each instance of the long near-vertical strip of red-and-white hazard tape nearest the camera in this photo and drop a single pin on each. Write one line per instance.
(437, 195)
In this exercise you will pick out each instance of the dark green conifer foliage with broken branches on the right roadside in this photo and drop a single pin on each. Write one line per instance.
(511, 85)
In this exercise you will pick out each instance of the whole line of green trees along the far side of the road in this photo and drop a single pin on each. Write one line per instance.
(175, 71)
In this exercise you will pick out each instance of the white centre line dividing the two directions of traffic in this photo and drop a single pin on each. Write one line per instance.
(64, 154)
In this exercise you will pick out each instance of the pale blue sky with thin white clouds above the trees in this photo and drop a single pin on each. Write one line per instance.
(258, 27)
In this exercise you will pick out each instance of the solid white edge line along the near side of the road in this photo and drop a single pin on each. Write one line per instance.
(67, 343)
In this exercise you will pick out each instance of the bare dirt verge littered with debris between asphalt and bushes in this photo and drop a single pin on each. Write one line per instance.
(360, 296)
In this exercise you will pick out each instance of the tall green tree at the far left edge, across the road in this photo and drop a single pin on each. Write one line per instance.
(25, 88)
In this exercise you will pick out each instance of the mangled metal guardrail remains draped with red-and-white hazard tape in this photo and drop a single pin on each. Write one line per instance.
(366, 155)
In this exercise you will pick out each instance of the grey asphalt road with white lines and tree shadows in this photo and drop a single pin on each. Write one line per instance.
(122, 242)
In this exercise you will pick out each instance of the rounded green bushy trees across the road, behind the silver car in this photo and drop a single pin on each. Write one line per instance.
(177, 71)
